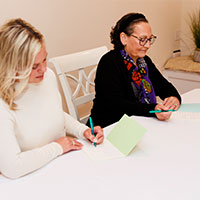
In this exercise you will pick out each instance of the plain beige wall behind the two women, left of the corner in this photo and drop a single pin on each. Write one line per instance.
(74, 25)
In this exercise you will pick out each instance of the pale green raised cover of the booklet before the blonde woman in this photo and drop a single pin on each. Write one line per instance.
(126, 134)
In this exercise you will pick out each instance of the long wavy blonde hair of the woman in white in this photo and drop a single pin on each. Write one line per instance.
(20, 42)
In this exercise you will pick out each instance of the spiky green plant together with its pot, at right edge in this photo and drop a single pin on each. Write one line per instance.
(195, 29)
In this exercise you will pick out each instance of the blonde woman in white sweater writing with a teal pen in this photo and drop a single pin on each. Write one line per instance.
(33, 126)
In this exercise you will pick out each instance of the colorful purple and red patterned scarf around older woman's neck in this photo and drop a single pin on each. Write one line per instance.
(140, 82)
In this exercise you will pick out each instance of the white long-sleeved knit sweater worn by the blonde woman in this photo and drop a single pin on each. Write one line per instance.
(27, 135)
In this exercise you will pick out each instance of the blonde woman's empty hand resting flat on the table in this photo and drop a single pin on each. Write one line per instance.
(68, 144)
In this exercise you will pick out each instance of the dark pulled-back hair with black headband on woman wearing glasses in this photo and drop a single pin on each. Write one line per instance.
(125, 25)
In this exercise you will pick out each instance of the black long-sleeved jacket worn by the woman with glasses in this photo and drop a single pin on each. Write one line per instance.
(114, 94)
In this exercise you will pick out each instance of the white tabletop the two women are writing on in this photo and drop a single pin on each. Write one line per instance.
(165, 165)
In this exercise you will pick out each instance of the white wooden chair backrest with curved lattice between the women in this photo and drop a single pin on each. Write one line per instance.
(78, 62)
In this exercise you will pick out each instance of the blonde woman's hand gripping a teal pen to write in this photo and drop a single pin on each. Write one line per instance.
(98, 138)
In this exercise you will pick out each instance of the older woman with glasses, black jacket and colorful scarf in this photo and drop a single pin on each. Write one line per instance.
(127, 81)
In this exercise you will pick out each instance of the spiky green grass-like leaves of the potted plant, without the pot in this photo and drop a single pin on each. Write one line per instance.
(195, 27)
